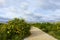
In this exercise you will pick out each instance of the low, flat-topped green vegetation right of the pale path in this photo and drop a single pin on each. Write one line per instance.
(50, 28)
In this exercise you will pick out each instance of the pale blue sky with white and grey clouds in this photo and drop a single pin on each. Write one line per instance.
(31, 10)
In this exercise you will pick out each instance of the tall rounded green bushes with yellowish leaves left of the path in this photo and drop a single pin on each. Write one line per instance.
(16, 29)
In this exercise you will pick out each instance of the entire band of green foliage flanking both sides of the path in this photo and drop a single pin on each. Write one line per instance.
(18, 29)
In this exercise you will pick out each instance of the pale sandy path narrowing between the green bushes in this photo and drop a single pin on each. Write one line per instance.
(37, 34)
